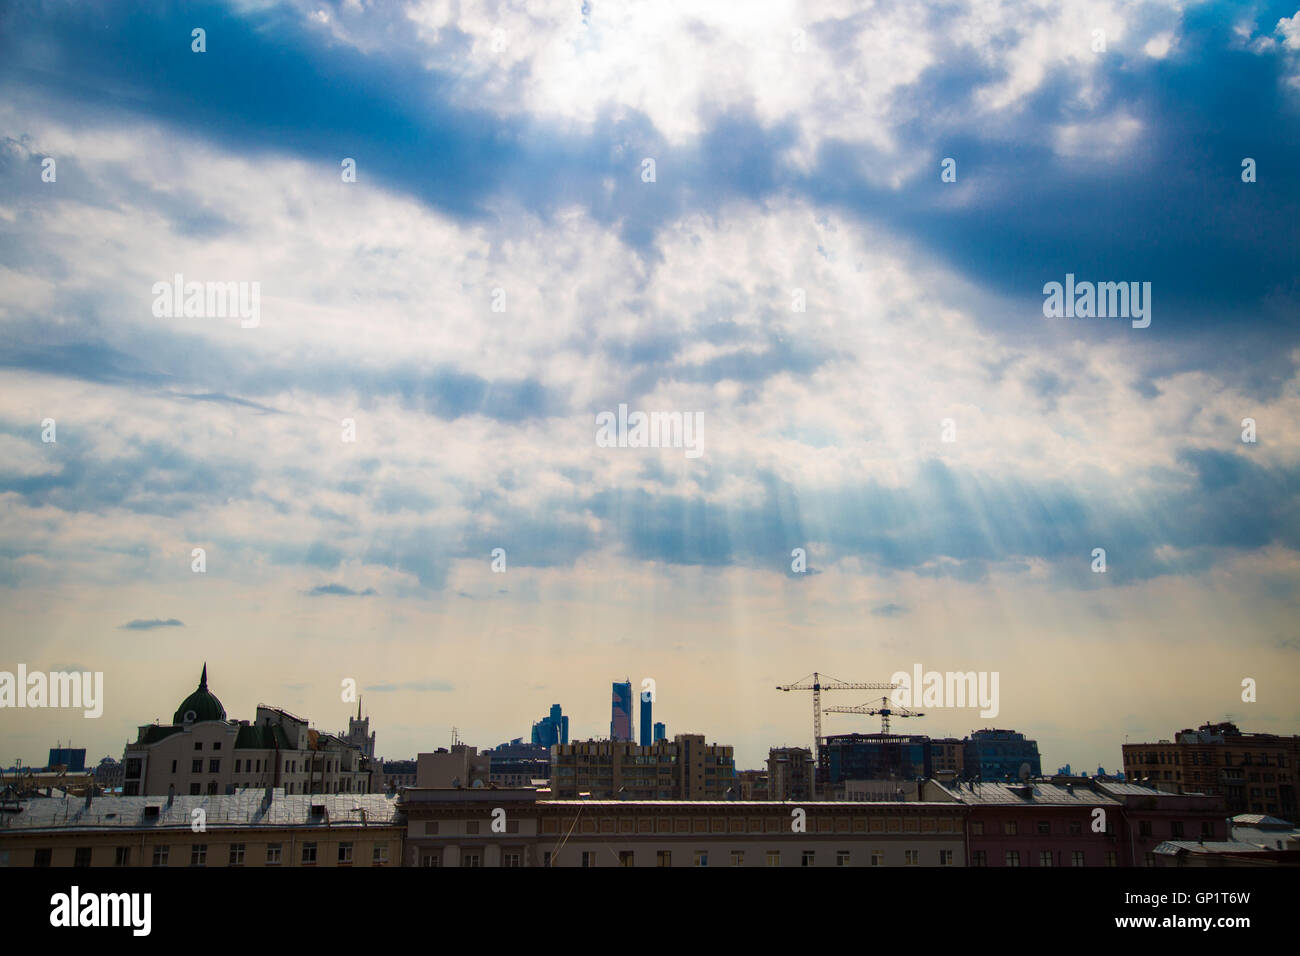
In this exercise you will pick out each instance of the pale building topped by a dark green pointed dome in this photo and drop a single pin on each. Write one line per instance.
(202, 752)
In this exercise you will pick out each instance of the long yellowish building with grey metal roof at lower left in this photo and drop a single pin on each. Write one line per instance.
(250, 828)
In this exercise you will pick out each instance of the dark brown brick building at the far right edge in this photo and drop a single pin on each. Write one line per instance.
(1255, 773)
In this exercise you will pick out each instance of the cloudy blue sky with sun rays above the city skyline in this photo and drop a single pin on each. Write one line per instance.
(461, 249)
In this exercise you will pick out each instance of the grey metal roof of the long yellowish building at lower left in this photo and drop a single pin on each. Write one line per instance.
(244, 808)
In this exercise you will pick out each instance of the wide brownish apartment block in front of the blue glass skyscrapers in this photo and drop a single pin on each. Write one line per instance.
(684, 768)
